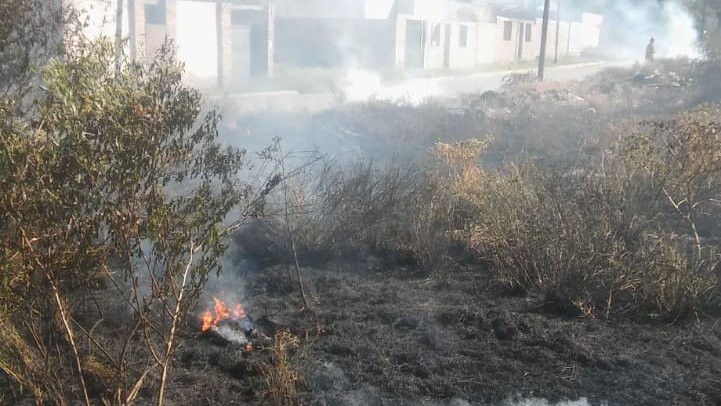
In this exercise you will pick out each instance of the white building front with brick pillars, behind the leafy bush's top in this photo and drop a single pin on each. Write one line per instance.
(213, 50)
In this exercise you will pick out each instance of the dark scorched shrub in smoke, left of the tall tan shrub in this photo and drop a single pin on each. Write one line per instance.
(364, 209)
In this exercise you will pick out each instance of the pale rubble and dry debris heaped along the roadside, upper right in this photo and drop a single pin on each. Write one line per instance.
(641, 89)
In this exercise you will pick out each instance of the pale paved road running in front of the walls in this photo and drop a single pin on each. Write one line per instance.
(362, 86)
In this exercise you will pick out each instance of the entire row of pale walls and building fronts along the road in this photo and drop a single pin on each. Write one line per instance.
(330, 33)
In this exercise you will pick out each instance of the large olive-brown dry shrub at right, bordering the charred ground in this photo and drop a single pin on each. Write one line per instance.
(572, 241)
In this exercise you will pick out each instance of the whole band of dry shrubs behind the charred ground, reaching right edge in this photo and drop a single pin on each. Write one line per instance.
(613, 237)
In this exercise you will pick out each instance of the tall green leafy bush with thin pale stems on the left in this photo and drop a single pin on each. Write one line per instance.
(114, 187)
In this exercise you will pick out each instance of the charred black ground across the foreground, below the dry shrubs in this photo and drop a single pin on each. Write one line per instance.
(395, 336)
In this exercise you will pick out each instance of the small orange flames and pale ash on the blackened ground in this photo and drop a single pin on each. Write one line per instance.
(229, 324)
